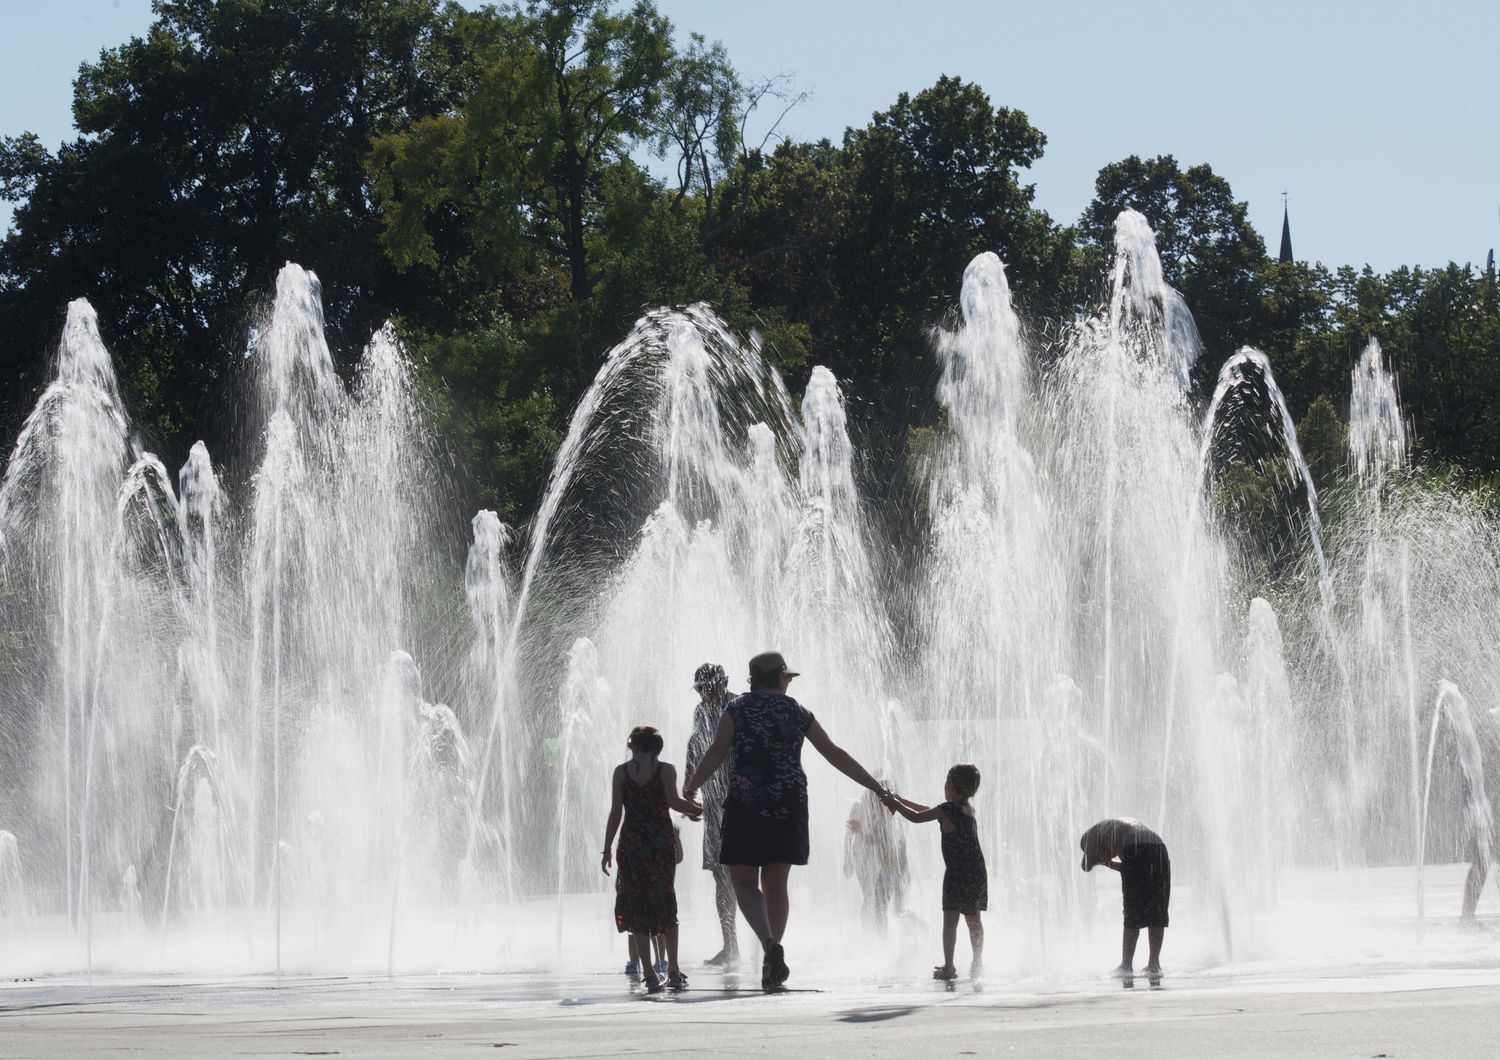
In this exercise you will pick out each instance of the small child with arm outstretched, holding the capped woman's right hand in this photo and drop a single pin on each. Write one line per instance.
(965, 882)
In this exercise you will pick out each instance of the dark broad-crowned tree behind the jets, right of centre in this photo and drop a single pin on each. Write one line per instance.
(865, 245)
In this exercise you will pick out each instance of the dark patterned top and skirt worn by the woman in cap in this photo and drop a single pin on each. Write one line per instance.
(766, 812)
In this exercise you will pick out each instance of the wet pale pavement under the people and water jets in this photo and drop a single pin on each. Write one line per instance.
(1397, 996)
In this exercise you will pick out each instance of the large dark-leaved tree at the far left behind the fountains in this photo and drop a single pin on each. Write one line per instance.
(221, 145)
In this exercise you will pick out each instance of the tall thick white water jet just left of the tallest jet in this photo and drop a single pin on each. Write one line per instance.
(994, 602)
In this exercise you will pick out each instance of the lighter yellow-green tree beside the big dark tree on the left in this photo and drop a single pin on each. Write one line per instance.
(511, 182)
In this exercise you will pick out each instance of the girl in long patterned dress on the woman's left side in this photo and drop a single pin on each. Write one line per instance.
(646, 900)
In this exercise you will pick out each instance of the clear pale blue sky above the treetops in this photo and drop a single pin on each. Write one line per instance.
(1381, 119)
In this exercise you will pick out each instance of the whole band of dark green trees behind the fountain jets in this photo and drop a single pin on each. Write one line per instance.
(479, 178)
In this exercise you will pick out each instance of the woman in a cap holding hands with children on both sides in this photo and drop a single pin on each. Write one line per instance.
(766, 812)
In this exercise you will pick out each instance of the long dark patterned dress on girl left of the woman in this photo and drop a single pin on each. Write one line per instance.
(647, 861)
